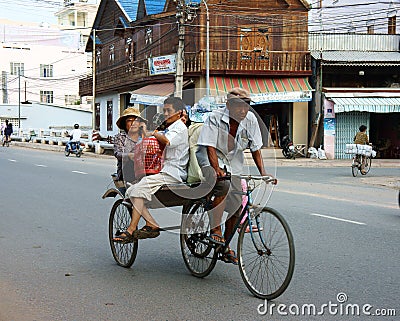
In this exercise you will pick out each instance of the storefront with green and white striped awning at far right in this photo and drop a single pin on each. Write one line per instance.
(345, 112)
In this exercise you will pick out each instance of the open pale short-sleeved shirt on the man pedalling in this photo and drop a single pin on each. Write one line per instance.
(215, 133)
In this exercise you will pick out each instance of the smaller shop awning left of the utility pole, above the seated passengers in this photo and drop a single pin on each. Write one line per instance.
(153, 94)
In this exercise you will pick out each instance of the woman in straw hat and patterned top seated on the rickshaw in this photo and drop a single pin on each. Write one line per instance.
(133, 129)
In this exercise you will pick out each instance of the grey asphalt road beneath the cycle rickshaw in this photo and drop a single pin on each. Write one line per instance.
(56, 263)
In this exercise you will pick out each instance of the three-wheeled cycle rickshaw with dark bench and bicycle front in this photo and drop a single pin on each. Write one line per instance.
(265, 245)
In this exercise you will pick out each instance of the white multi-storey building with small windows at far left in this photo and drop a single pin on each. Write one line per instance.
(40, 65)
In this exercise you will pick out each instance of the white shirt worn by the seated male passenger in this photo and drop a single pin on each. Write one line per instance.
(176, 154)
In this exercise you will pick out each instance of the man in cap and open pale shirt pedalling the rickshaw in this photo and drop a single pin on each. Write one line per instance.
(226, 133)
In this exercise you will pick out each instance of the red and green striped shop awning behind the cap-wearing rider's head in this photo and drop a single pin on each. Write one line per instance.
(264, 90)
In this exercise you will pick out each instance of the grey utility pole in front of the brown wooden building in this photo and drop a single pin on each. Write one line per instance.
(180, 14)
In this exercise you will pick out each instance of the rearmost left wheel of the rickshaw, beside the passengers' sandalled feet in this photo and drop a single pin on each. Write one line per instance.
(120, 217)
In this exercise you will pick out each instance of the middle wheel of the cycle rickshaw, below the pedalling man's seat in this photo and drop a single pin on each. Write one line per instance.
(198, 254)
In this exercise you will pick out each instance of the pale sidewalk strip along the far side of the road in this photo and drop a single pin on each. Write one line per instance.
(267, 154)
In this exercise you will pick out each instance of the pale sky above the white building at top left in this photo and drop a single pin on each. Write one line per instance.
(33, 11)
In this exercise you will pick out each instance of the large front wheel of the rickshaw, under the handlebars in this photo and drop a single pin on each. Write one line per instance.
(266, 261)
